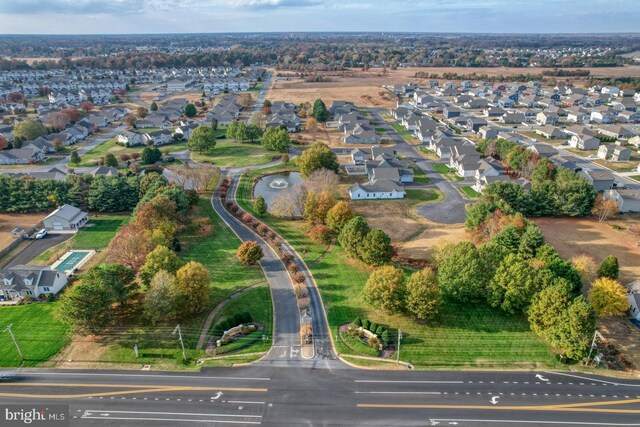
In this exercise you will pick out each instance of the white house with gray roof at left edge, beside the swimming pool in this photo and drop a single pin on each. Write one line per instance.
(30, 281)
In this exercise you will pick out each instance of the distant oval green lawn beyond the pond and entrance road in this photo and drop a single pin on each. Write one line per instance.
(230, 153)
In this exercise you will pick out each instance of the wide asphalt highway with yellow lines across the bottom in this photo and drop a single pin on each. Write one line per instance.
(338, 396)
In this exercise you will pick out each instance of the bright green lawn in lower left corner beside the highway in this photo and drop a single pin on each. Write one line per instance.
(38, 333)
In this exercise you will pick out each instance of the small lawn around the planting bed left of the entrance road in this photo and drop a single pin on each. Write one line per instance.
(257, 302)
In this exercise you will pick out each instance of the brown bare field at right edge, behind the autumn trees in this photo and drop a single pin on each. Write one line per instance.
(575, 236)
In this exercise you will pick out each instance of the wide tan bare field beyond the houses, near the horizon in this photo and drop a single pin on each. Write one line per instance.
(364, 87)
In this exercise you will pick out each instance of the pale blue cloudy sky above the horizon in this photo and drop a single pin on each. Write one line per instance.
(212, 16)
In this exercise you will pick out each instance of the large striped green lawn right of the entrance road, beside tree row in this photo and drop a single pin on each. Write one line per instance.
(463, 335)
